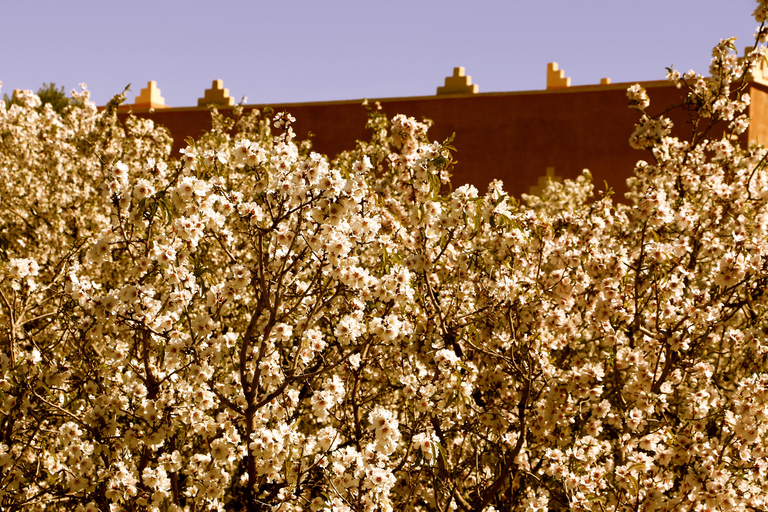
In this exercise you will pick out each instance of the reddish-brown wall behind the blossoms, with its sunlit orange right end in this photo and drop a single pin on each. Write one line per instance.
(514, 137)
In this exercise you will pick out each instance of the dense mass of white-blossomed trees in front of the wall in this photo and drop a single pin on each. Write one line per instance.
(255, 327)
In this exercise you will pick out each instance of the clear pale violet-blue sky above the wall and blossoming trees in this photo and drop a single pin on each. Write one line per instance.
(314, 50)
